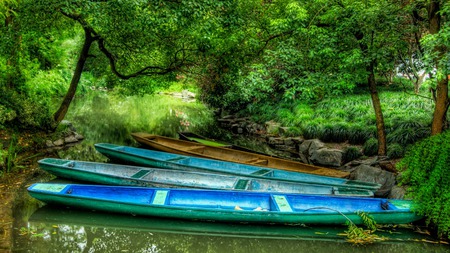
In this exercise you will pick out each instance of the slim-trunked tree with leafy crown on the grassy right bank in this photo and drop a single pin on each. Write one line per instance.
(374, 27)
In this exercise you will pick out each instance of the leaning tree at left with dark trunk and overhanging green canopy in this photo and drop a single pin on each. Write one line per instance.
(139, 38)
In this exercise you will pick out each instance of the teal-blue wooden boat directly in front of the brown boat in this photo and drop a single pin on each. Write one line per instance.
(151, 158)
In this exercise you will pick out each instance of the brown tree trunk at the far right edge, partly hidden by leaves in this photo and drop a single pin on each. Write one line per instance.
(442, 100)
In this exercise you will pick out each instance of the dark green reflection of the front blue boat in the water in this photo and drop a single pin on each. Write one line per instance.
(63, 216)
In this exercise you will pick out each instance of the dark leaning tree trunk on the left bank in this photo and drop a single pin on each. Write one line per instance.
(61, 113)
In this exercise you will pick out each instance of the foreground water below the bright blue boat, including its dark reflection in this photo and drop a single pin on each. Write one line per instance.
(53, 229)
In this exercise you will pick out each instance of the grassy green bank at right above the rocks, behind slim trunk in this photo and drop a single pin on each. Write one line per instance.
(351, 118)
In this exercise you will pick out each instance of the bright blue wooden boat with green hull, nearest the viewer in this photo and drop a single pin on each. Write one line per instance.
(225, 206)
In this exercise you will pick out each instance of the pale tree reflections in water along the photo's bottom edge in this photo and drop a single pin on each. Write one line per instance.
(76, 238)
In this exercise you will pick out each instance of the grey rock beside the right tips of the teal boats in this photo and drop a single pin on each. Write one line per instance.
(371, 174)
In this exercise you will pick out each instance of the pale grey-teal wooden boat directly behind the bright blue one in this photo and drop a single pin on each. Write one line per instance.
(113, 174)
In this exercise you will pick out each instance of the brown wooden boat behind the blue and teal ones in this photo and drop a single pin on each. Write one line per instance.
(181, 147)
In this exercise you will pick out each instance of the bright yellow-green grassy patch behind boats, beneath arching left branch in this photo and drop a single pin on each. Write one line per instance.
(117, 117)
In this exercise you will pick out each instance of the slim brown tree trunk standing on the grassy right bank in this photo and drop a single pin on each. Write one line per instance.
(378, 112)
